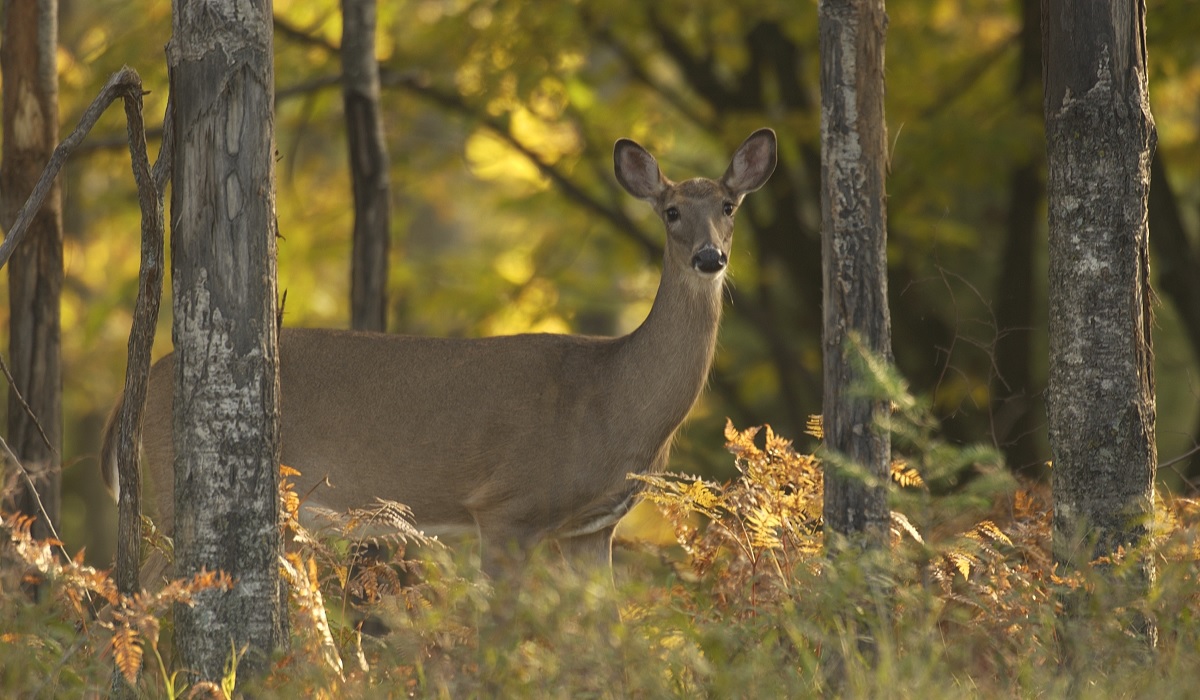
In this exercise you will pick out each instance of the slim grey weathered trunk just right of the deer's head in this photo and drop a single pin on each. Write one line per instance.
(854, 165)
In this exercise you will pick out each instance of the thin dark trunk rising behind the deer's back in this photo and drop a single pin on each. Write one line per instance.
(369, 167)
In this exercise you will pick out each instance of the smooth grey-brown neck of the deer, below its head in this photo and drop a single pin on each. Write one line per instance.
(665, 362)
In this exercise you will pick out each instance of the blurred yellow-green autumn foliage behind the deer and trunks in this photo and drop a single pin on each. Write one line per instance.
(501, 117)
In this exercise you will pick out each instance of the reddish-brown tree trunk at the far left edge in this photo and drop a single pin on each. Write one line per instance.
(35, 276)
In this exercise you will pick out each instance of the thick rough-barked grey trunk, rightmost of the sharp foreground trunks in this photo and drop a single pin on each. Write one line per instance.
(1101, 403)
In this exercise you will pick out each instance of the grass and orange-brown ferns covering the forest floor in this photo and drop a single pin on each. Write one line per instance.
(747, 605)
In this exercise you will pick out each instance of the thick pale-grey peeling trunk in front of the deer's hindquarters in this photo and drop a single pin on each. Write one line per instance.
(226, 410)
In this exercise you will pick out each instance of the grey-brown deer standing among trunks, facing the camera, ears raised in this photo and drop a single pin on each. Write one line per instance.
(524, 438)
